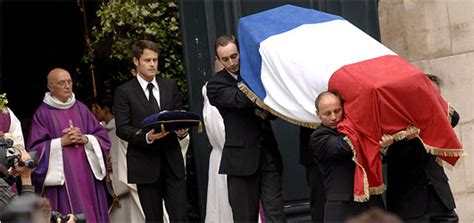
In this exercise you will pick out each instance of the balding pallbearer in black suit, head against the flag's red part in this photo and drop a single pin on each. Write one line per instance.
(334, 157)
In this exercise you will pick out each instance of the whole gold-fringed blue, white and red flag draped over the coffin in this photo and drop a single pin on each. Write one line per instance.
(289, 55)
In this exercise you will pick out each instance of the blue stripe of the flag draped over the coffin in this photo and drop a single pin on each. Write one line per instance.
(254, 29)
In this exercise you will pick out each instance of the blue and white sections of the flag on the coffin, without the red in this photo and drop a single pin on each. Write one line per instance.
(298, 49)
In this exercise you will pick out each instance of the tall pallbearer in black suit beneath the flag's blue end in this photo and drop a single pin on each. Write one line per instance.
(250, 158)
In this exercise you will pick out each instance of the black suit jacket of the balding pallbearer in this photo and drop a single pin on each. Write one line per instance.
(334, 157)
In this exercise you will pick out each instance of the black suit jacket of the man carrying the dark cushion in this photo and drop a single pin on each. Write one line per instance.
(130, 108)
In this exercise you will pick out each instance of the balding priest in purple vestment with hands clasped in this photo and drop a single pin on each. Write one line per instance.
(72, 148)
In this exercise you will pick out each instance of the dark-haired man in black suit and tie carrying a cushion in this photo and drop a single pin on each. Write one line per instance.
(154, 159)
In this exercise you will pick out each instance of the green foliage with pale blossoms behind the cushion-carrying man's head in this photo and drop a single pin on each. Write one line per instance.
(122, 23)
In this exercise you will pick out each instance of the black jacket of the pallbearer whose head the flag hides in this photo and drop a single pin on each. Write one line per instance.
(410, 171)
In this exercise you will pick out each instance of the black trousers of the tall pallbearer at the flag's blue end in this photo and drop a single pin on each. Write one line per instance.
(245, 192)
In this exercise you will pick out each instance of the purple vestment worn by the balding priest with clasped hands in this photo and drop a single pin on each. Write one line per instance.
(81, 191)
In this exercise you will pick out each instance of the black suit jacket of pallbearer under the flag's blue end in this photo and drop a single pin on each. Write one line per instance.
(245, 132)
